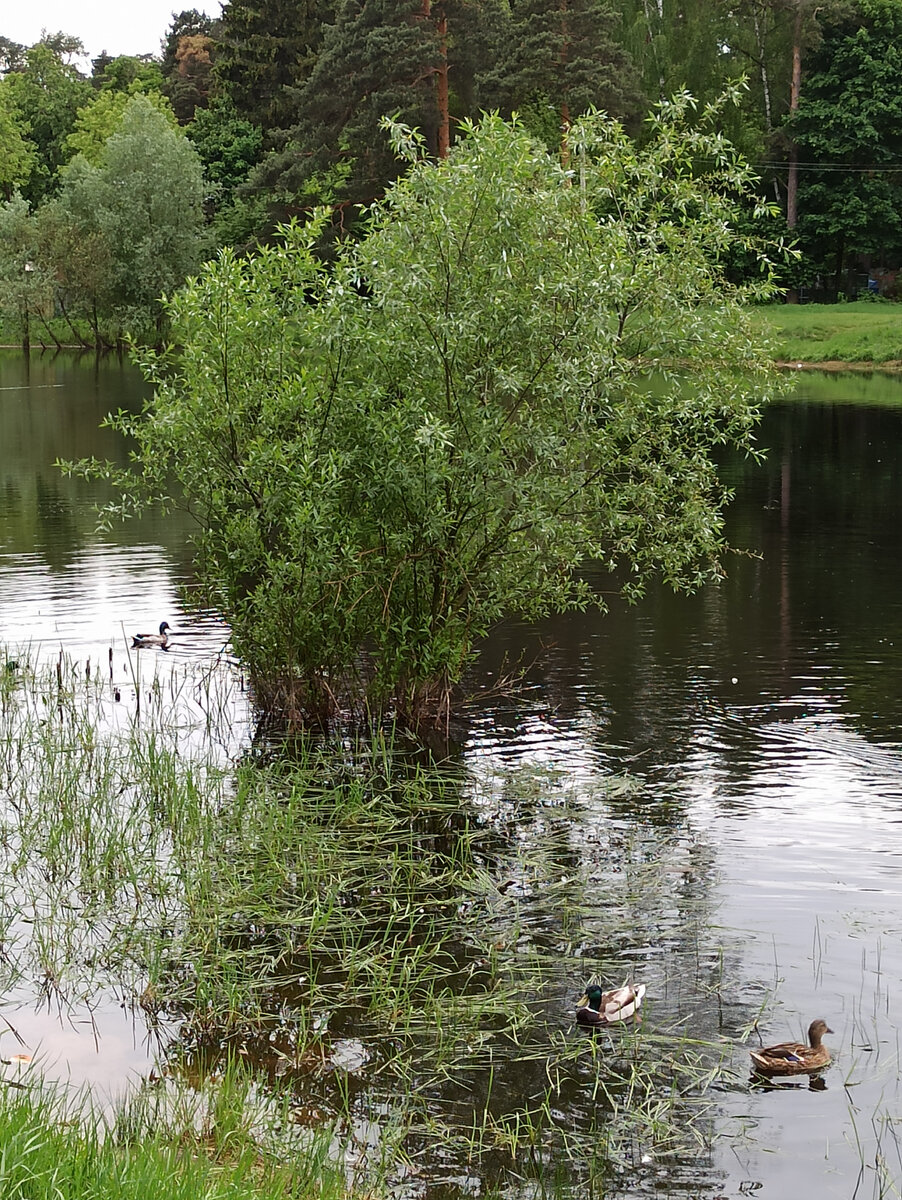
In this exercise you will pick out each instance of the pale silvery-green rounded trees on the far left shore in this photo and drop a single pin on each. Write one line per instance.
(125, 230)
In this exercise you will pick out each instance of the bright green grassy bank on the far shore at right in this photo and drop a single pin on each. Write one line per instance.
(859, 333)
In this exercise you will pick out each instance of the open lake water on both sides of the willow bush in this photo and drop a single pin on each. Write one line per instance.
(759, 725)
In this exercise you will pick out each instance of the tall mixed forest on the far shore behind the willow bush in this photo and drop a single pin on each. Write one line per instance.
(116, 188)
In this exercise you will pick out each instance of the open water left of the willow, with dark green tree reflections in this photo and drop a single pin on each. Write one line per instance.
(63, 586)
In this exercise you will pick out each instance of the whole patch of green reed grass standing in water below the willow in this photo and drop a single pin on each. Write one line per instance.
(284, 907)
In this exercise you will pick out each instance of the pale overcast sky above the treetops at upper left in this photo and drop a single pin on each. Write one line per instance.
(119, 27)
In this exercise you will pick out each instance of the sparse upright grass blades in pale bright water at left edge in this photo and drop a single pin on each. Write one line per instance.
(87, 826)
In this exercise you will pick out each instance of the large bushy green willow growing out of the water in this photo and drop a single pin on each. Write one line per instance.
(515, 370)
